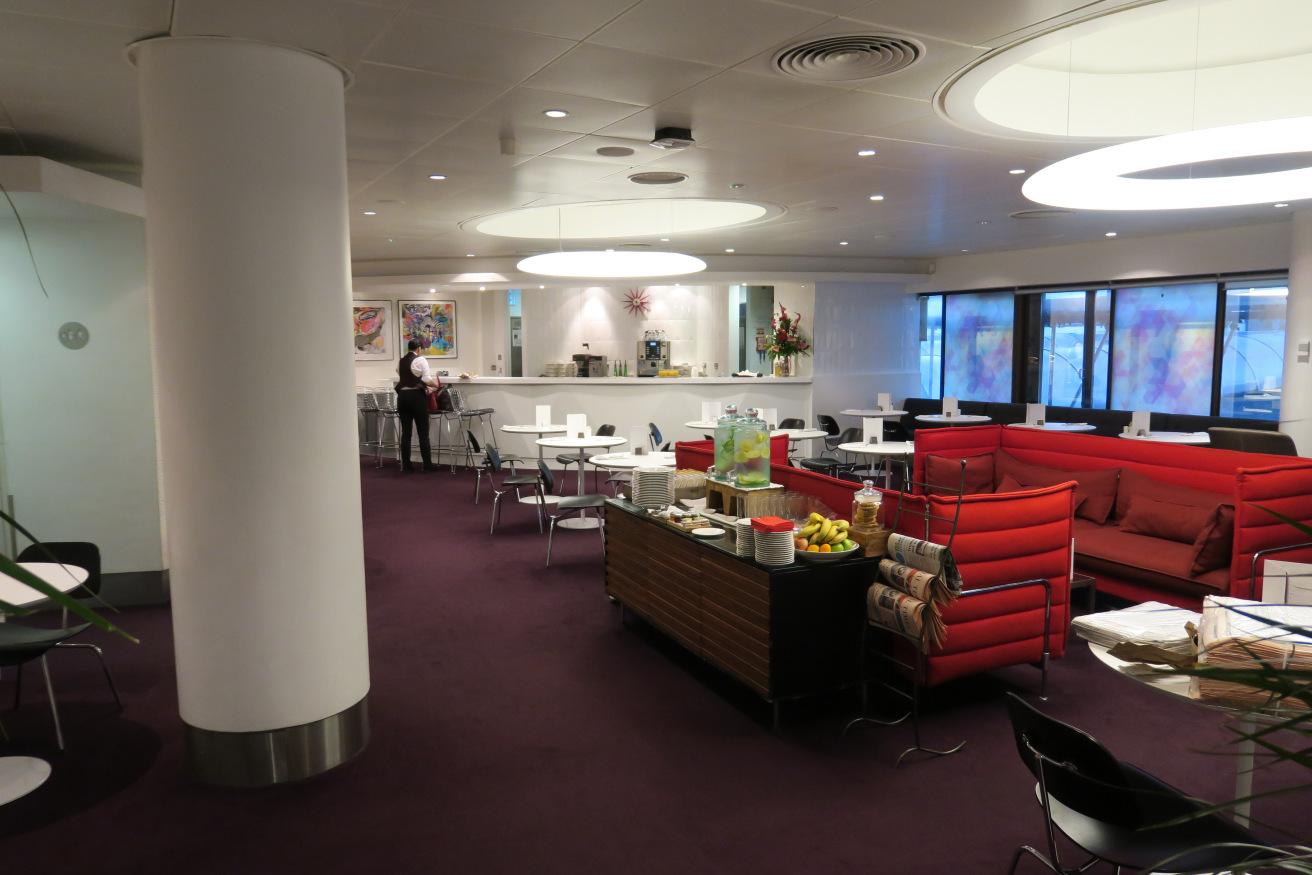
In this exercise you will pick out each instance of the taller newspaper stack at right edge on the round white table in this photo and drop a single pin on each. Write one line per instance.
(1237, 633)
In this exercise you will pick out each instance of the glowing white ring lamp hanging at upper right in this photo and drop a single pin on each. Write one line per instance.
(1104, 179)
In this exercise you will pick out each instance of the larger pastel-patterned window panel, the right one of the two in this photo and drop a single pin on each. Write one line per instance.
(1163, 348)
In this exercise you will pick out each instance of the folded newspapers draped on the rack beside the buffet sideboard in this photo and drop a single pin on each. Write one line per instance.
(919, 579)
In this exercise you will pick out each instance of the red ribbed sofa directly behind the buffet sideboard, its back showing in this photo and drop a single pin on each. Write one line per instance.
(994, 629)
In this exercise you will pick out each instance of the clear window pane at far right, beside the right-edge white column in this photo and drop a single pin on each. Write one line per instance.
(1254, 350)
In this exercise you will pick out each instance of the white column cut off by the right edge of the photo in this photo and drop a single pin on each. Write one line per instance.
(1297, 394)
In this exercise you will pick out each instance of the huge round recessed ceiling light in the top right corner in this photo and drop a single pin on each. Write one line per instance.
(1145, 71)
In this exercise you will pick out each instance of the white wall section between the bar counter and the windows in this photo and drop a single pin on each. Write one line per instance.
(867, 343)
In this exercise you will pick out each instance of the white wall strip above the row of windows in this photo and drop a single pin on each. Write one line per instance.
(1255, 247)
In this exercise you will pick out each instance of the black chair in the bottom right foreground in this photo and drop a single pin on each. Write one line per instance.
(1116, 813)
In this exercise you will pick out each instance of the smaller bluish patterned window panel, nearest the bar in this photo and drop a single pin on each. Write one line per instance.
(978, 338)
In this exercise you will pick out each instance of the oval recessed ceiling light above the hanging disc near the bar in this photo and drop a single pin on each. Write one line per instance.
(630, 220)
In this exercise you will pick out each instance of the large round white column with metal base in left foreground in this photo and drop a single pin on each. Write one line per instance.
(249, 253)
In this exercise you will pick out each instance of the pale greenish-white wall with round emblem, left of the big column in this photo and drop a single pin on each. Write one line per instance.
(79, 426)
